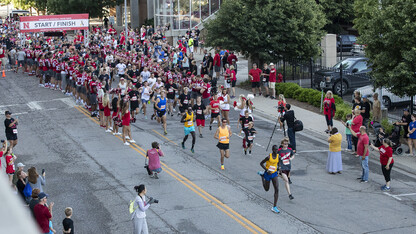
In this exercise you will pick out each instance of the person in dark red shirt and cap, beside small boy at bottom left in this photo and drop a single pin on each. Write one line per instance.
(43, 213)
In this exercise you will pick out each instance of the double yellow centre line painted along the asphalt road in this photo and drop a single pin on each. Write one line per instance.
(193, 187)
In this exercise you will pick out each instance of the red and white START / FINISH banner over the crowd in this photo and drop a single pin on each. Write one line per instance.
(46, 23)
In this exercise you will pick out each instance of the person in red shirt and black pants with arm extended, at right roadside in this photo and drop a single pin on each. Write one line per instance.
(386, 161)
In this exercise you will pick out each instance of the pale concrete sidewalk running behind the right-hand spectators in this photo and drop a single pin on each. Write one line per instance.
(312, 122)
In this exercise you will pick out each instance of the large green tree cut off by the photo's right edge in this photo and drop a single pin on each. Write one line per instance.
(389, 31)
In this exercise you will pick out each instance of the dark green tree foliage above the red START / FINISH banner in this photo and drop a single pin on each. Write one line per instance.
(95, 8)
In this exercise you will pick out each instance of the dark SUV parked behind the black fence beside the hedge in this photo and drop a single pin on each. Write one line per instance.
(354, 75)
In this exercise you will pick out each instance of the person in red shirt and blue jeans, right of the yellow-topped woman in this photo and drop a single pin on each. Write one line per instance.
(363, 152)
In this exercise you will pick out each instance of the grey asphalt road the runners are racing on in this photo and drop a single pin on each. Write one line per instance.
(93, 172)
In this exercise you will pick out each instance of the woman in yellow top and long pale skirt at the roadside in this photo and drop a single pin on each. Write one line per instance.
(334, 161)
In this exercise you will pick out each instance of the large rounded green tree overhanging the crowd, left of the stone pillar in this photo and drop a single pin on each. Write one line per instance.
(268, 30)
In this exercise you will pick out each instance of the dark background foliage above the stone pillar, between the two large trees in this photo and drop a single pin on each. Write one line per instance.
(340, 12)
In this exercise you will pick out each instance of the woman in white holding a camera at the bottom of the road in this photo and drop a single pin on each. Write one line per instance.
(139, 210)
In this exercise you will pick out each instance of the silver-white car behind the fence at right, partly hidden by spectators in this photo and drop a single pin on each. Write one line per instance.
(389, 99)
